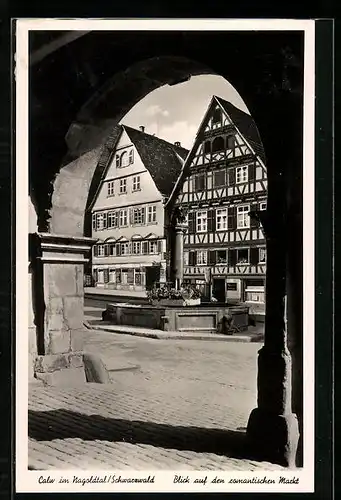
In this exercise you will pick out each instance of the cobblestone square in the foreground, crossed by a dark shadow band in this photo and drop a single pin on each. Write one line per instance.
(172, 405)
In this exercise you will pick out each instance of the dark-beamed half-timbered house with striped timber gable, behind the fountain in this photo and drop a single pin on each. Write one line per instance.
(224, 179)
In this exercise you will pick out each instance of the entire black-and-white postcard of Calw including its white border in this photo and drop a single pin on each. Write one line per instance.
(165, 211)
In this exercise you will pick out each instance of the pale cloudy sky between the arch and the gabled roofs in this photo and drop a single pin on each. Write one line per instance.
(174, 113)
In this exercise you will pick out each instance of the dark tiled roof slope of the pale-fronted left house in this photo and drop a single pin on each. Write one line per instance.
(162, 159)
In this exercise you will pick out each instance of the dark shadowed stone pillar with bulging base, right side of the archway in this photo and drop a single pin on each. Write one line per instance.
(272, 428)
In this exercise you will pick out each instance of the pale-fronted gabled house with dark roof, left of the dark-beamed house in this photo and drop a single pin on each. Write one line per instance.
(129, 218)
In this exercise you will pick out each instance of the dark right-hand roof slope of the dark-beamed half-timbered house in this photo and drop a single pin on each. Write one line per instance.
(245, 124)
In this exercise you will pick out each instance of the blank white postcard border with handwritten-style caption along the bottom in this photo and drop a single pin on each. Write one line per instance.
(31, 481)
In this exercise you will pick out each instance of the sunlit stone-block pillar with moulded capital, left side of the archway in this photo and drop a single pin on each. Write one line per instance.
(58, 295)
